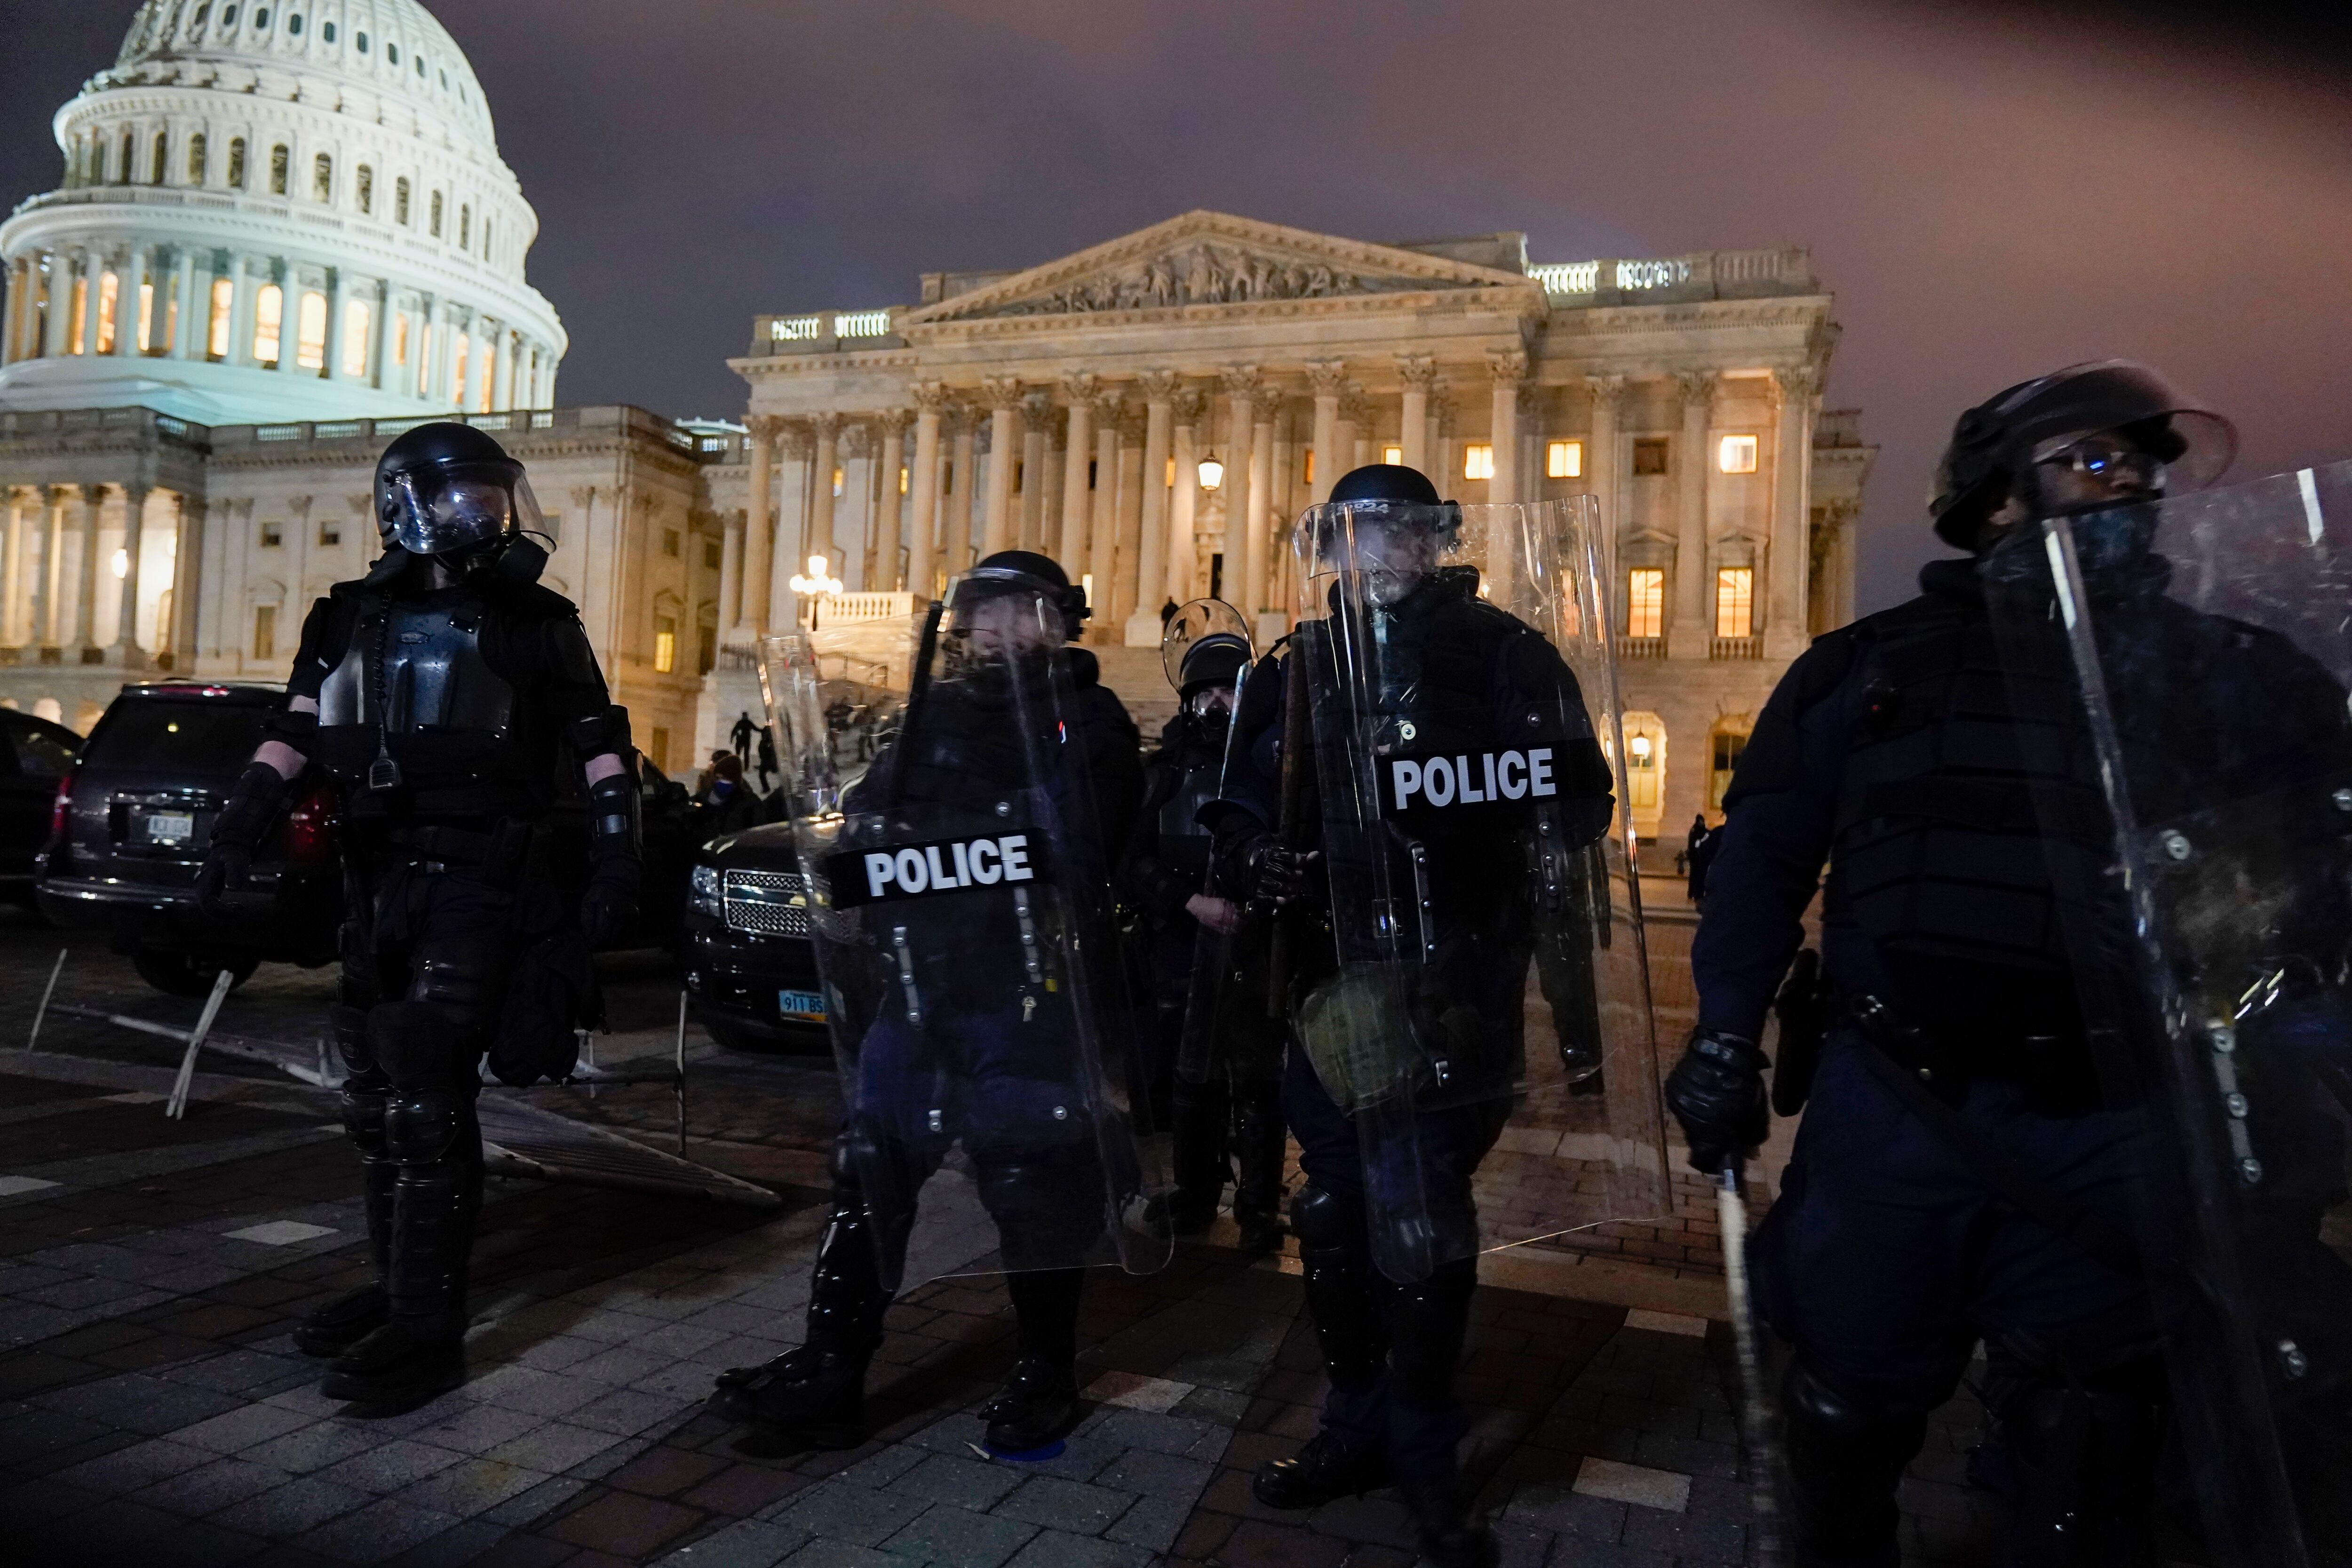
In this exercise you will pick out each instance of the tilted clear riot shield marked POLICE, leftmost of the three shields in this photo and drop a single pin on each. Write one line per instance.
(958, 904)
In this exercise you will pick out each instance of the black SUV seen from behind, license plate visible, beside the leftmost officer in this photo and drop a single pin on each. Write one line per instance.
(133, 824)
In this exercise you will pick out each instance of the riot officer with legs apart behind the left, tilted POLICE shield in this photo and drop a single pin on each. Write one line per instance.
(951, 1017)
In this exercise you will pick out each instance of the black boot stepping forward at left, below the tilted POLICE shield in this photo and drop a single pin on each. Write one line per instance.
(815, 1395)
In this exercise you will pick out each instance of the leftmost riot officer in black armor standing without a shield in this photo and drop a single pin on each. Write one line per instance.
(453, 699)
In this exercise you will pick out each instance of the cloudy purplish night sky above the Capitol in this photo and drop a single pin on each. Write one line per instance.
(1989, 189)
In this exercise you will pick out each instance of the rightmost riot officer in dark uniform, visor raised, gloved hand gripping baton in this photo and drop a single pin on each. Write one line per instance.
(1963, 1172)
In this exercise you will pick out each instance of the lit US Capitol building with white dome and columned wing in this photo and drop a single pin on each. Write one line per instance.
(286, 234)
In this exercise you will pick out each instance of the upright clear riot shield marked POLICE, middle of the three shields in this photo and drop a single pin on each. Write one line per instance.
(1490, 984)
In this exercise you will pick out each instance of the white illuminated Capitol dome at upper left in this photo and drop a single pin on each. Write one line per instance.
(279, 210)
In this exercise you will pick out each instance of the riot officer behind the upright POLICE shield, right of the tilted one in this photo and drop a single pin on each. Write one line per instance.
(1436, 666)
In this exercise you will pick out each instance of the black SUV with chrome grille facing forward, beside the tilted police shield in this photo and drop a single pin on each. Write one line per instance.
(747, 951)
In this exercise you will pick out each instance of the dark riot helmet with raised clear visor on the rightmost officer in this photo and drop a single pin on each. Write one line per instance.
(2097, 420)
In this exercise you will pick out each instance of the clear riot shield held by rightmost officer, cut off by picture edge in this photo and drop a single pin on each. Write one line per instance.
(2203, 650)
